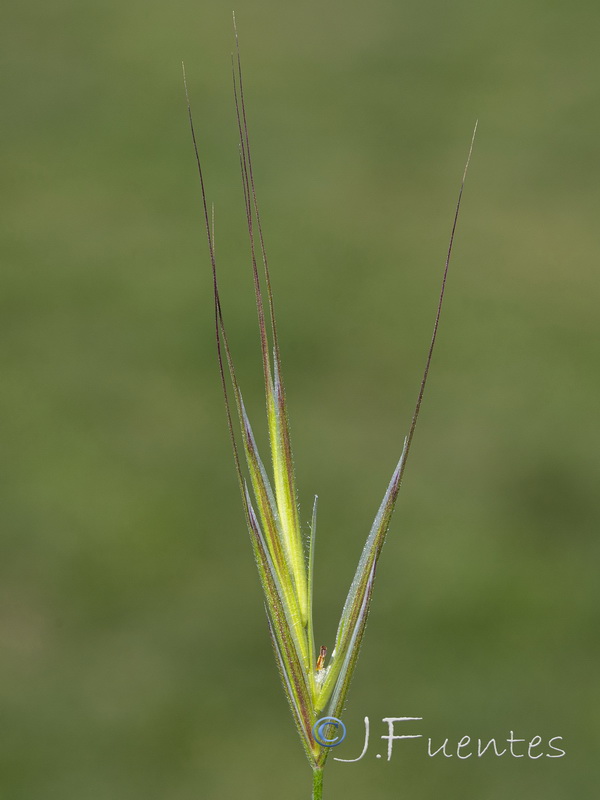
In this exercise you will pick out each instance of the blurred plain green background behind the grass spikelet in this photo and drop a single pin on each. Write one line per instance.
(135, 660)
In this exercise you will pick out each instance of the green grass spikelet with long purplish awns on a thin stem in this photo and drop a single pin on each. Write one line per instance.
(314, 688)
